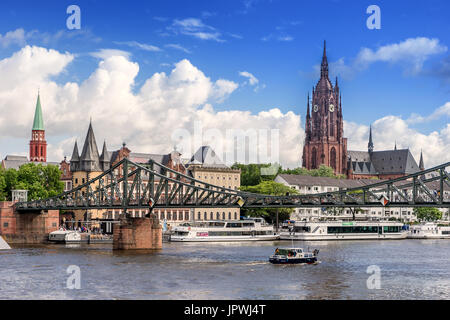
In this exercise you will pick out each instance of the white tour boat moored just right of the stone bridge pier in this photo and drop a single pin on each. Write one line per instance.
(254, 229)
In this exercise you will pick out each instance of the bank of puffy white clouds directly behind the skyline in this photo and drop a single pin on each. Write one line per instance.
(145, 117)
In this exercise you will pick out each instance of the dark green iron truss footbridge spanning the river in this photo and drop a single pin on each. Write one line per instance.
(128, 185)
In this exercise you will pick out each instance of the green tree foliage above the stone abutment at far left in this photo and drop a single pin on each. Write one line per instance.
(40, 181)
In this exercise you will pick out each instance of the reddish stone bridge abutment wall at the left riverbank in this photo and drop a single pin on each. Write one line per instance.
(26, 228)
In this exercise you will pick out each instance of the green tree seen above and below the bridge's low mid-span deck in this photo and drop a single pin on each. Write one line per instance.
(269, 188)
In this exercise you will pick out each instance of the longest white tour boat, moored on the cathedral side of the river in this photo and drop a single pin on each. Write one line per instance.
(342, 230)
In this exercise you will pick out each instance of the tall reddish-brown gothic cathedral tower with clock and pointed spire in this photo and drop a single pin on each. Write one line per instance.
(324, 130)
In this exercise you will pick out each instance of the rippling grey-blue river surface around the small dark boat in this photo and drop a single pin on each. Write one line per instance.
(409, 269)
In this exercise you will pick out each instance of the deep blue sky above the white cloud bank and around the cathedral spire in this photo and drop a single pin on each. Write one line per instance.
(279, 42)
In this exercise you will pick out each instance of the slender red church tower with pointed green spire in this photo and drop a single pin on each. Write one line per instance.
(38, 145)
